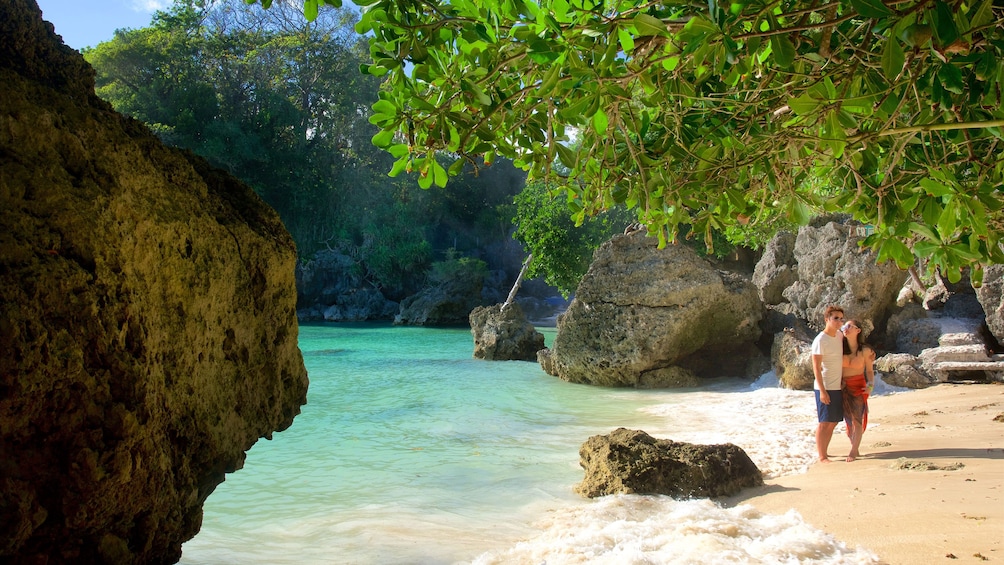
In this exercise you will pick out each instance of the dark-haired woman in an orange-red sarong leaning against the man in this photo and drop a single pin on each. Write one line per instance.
(858, 383)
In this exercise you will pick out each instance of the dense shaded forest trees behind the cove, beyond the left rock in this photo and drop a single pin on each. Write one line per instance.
(280, 103)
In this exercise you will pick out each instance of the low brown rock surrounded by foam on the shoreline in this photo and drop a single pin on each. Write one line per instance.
(632, 462)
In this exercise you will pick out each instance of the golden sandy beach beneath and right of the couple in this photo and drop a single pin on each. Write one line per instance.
(929, 487)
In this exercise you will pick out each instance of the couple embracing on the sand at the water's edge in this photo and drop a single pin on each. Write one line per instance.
(845, 378)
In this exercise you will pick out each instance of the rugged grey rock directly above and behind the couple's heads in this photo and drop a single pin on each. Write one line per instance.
(833, 269)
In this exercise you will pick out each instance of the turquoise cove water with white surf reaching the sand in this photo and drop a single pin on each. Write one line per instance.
(410, 451)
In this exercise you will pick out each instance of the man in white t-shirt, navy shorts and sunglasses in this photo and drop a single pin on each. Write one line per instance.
(828, 359)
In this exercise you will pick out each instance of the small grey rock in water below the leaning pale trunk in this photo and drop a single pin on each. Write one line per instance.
(503, 335)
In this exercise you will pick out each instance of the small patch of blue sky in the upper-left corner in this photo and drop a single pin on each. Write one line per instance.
(86, 24)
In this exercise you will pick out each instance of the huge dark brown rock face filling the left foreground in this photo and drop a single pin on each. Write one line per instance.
(147, 320)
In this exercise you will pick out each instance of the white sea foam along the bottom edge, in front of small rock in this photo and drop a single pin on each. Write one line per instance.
(633, 529)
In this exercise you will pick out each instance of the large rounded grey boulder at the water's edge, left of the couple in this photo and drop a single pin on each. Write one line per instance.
(651, 318)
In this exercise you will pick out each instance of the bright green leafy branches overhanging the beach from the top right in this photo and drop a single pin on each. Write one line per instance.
(716, 116)
